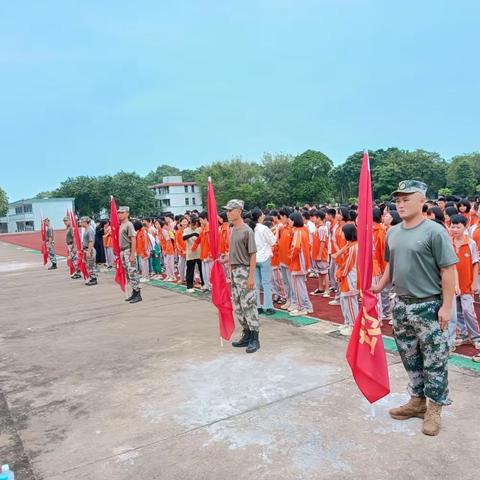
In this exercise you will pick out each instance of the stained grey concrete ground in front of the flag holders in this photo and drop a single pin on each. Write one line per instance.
(95, 388)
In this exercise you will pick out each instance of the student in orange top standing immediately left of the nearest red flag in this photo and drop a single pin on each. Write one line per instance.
(347, 277)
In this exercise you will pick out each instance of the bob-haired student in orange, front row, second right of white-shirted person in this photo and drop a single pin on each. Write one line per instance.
(299, 266)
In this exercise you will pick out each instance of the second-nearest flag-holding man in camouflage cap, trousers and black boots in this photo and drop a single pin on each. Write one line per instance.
(242, 258)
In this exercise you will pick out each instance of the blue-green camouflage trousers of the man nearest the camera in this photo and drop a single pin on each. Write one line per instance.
(423, 348)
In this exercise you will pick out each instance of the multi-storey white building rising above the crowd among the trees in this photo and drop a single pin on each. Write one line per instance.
(176, 196)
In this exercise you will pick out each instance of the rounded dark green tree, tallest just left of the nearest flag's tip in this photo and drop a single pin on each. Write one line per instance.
(309, 177)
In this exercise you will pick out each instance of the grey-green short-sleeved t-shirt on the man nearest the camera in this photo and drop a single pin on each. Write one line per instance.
(416, 256)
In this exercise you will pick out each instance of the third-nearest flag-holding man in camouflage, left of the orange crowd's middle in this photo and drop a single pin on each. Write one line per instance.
(128, 253)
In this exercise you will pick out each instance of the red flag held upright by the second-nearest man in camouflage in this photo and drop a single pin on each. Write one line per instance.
(220, 292)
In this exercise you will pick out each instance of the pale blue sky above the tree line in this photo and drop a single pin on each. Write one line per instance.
(93, 87)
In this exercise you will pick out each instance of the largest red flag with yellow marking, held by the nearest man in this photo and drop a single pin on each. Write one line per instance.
(365, 352)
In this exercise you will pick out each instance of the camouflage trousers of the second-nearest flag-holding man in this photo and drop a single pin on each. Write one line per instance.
(244, 299)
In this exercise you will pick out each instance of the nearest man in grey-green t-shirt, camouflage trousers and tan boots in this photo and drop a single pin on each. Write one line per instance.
(421, 267)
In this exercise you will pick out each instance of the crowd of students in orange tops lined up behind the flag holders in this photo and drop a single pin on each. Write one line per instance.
(294, 244)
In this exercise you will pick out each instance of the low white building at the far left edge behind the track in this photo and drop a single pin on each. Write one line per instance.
(26, 215)
